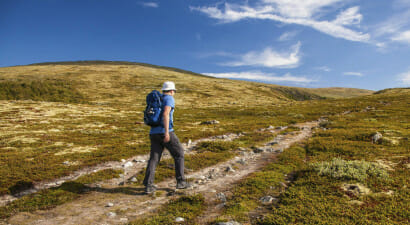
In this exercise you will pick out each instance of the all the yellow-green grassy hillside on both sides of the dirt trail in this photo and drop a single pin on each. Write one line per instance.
(58, 118)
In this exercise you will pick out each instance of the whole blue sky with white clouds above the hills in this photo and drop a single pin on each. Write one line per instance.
(307, 43)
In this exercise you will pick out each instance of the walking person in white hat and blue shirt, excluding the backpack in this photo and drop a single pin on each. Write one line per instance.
(163, 136)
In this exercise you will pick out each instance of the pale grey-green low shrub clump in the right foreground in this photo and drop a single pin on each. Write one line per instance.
(352, 170)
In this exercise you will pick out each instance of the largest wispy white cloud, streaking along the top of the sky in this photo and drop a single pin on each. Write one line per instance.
(300, 12)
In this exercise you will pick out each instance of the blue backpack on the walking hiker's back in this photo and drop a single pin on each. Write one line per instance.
(153, 111)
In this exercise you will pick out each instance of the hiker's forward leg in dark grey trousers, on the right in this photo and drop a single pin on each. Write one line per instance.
(177, 152)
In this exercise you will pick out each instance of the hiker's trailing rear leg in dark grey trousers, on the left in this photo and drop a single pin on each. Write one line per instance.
(155, 156)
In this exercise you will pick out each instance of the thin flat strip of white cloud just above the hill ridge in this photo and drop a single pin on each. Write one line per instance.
(260, 76)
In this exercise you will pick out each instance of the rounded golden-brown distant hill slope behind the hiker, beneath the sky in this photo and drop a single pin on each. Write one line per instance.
(112, 82)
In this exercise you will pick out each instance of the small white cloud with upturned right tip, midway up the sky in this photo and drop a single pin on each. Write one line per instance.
(269, 58)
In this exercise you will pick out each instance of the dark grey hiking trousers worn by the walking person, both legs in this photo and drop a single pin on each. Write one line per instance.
(157, 147)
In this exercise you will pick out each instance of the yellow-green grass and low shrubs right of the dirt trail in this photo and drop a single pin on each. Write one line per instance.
(317, 198)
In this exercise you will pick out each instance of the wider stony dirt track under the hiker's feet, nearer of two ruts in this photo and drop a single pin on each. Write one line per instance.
(130, 203)
